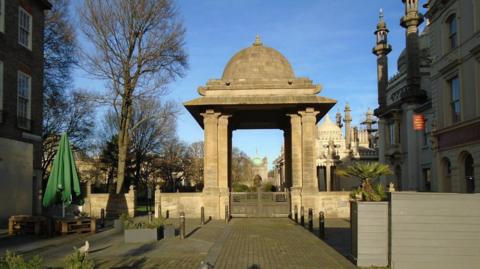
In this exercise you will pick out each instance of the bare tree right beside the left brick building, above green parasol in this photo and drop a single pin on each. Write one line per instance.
(64, 110)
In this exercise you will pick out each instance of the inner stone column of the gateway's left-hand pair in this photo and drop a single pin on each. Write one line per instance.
(223, 145)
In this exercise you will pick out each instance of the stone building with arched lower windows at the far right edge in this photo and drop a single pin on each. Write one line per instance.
(455, 79)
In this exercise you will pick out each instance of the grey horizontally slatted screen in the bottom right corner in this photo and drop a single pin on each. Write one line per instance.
(434, 230)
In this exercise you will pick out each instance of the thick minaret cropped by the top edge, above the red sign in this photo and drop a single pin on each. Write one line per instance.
(410, 22)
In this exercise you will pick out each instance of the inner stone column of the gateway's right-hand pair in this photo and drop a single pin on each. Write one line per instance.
(295, 151)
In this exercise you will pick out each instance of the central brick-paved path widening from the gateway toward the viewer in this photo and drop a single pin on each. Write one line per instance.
(275, 243)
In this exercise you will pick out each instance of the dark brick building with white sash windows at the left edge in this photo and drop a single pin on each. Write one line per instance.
(21, 84)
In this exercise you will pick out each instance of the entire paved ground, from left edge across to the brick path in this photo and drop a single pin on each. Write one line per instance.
(243, 243)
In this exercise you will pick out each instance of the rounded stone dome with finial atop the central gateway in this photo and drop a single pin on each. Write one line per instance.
(258, 63)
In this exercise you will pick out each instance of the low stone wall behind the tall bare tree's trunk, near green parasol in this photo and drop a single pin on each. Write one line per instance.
(113, 204)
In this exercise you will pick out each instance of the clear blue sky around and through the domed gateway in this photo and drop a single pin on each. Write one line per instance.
(328, 41)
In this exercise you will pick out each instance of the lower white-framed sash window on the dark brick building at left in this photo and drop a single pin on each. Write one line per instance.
(23, 100)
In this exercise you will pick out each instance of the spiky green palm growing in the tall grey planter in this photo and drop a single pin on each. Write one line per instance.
(367, 171)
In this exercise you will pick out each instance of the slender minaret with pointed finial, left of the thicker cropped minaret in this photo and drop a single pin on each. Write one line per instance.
(382, 49)
